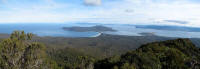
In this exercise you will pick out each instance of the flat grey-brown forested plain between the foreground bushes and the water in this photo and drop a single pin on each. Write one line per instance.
(102, 46)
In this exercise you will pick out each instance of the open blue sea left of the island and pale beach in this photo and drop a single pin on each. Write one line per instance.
(46, 30)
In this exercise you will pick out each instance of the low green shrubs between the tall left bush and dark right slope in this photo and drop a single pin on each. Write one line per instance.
(69, 58)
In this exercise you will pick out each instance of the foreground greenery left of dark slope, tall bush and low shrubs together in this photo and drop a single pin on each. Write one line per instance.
(19, 51)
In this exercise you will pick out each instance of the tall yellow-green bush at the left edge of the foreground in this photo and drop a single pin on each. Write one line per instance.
(18, 52)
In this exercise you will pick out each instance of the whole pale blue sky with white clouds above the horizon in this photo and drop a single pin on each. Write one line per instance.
(102, 11)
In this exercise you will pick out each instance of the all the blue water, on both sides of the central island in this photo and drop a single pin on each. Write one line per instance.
(55, 30)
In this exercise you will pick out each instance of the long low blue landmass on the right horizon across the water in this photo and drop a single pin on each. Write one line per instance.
(170, 28)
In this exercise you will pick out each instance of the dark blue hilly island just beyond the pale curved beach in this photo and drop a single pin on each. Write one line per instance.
(97, 28)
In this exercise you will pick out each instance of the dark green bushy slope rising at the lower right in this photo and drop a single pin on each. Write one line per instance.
(171, 54)
